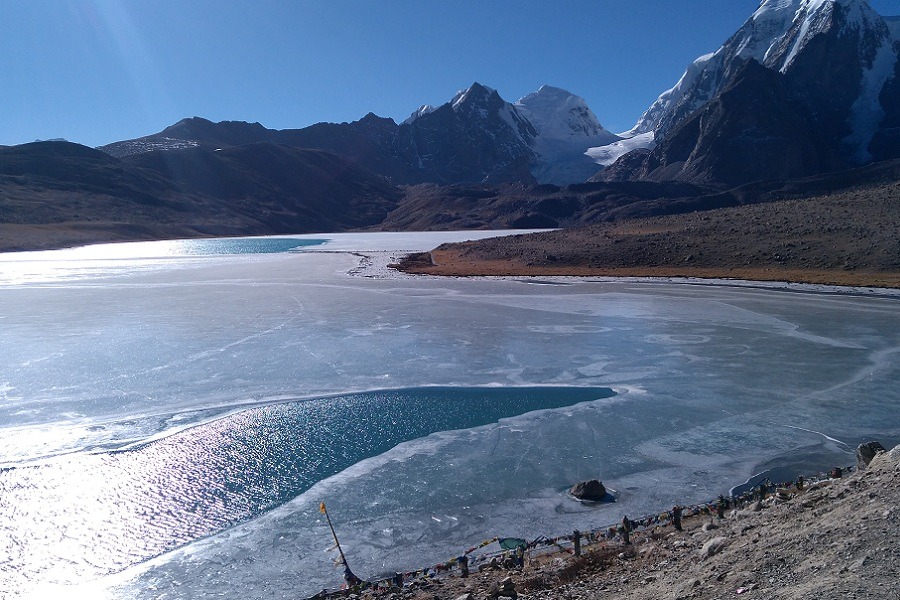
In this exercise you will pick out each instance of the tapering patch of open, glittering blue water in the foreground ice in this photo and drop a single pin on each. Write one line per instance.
(100, 513)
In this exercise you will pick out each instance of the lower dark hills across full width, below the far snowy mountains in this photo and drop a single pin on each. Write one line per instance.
(56, 194)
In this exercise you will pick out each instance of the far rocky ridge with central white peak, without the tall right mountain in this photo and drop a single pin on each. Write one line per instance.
(476, 137)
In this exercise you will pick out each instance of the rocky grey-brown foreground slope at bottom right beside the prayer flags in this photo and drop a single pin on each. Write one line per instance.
(834, 540)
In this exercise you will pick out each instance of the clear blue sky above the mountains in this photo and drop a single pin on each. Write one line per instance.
(97, 71)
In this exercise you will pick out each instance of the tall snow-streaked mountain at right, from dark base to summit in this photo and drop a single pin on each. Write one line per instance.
(803, 87)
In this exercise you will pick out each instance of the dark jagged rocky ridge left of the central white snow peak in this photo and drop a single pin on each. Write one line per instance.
(478, 138)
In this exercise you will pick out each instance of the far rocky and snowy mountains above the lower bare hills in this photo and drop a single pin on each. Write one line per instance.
(811, 86)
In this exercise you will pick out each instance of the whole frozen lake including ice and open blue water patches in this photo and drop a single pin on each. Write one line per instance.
(172, 413)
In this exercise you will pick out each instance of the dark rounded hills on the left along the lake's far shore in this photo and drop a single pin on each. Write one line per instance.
(252, 189)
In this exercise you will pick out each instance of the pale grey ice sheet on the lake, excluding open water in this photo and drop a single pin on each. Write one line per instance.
(712, 381)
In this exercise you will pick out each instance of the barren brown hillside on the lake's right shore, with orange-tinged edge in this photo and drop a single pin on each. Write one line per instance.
(849, 238)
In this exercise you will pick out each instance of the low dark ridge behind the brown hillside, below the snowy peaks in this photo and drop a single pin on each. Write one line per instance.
(428, 207)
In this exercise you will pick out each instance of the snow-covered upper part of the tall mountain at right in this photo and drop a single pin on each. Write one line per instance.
(778, 35)
